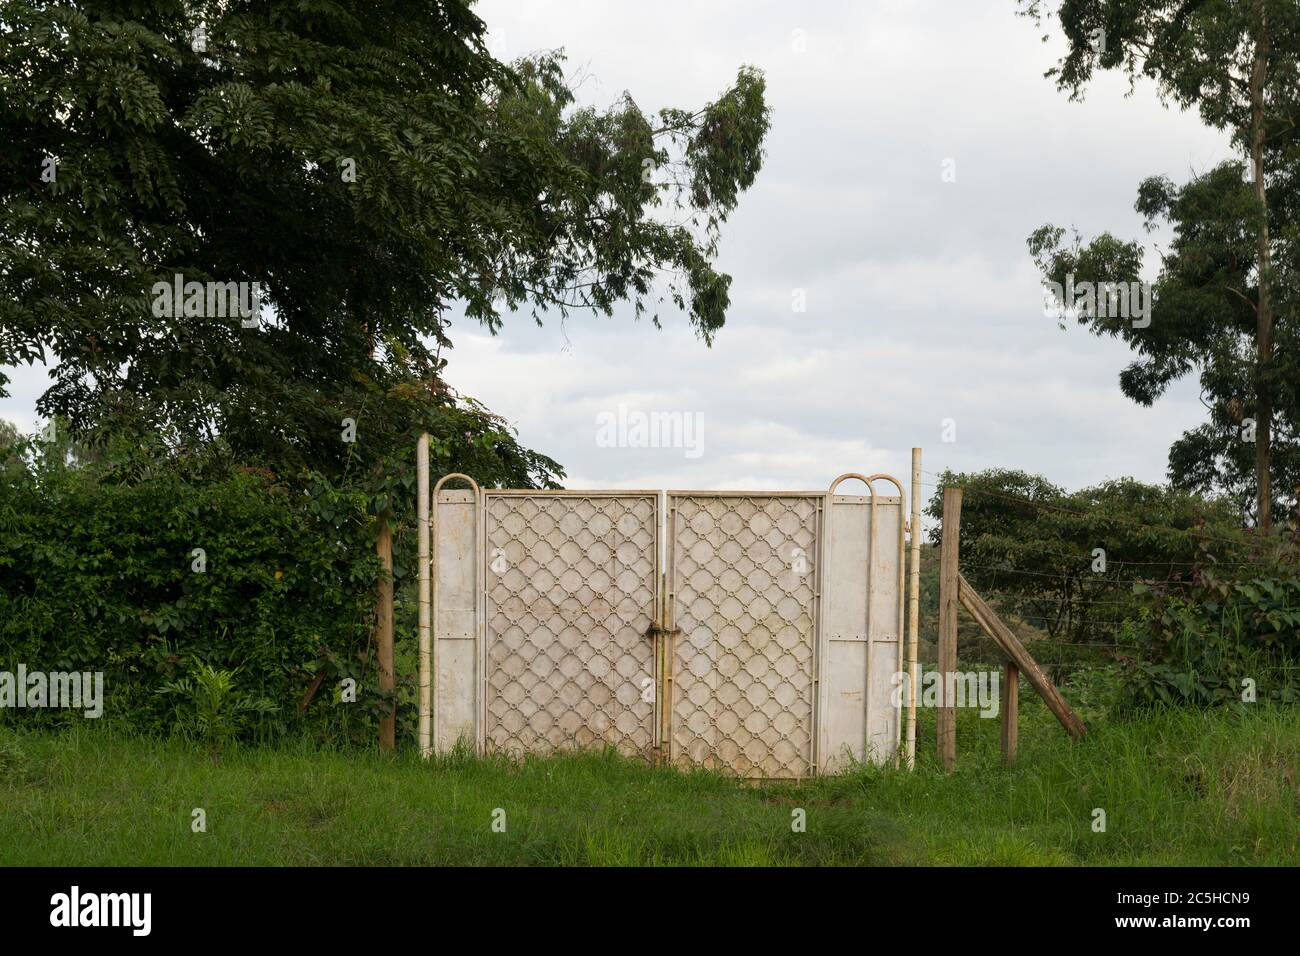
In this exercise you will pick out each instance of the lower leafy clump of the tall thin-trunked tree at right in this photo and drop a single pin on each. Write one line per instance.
(1203, 321)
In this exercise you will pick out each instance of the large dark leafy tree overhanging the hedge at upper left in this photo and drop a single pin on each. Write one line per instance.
(367, 165)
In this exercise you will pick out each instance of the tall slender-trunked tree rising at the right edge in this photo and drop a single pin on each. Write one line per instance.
(1225, 300)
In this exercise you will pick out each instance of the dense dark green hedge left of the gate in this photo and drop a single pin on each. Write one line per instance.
(149, 566)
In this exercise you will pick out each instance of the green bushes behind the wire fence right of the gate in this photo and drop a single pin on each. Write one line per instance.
(1188, 603)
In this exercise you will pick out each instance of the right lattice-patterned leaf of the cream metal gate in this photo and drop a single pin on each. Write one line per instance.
(744, 607)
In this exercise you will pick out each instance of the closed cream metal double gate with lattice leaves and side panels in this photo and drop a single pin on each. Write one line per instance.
(751, 631)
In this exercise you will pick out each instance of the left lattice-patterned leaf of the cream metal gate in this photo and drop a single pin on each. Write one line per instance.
(571, 594)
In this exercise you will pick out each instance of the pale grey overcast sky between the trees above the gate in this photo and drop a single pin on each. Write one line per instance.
(922, 302)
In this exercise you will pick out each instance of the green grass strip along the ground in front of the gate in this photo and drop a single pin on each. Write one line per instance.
(1177, 789)
